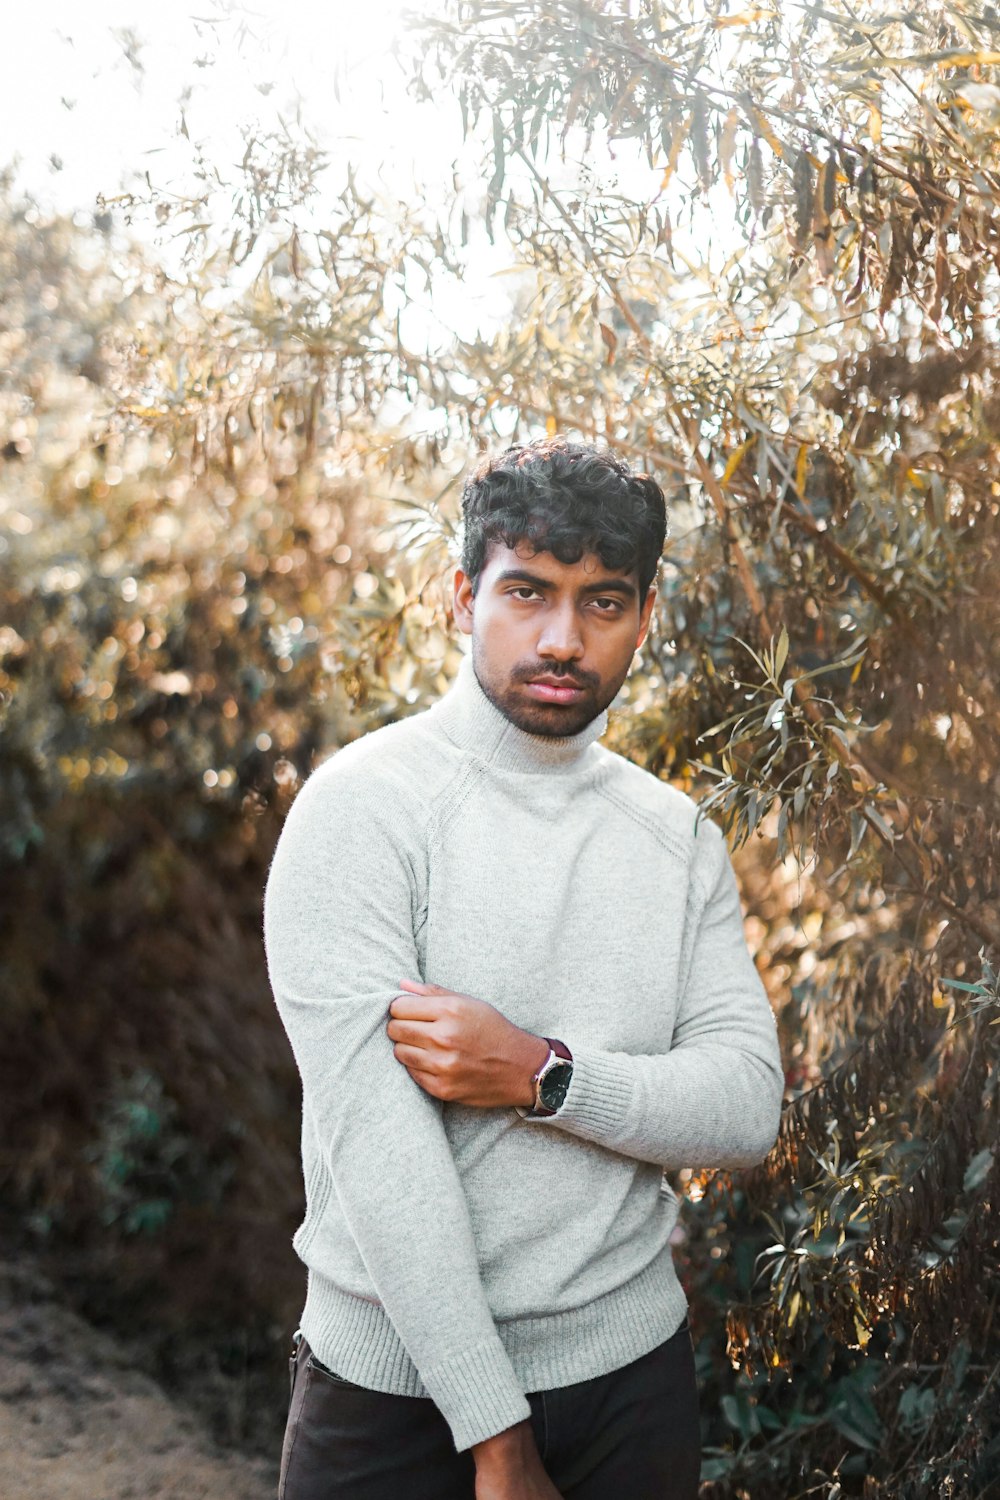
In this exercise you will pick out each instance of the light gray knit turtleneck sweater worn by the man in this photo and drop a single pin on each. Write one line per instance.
(470, 1255)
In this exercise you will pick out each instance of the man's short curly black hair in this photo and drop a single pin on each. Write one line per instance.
(566, 499)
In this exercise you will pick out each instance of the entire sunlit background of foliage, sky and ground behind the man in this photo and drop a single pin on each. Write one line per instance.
(271, 280)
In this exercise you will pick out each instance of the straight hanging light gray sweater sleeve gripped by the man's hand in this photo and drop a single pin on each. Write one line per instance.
(341, 908)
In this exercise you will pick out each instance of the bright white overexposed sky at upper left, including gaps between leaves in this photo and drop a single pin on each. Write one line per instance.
(94, 97)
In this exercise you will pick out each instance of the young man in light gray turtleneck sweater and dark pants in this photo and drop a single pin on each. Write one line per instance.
(516, 985)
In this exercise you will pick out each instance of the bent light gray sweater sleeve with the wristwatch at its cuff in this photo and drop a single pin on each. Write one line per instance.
(714, 1099)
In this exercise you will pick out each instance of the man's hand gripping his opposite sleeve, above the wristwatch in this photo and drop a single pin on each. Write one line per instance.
(463, 1049)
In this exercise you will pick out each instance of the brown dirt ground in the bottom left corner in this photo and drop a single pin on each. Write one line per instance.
(80, 1423)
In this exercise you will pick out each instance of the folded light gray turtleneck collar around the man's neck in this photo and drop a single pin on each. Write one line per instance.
(475, 724)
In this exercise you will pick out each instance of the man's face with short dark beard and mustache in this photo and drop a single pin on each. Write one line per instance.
(575, 626)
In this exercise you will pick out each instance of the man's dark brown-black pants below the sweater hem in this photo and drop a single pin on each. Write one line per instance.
(633, 1433)
